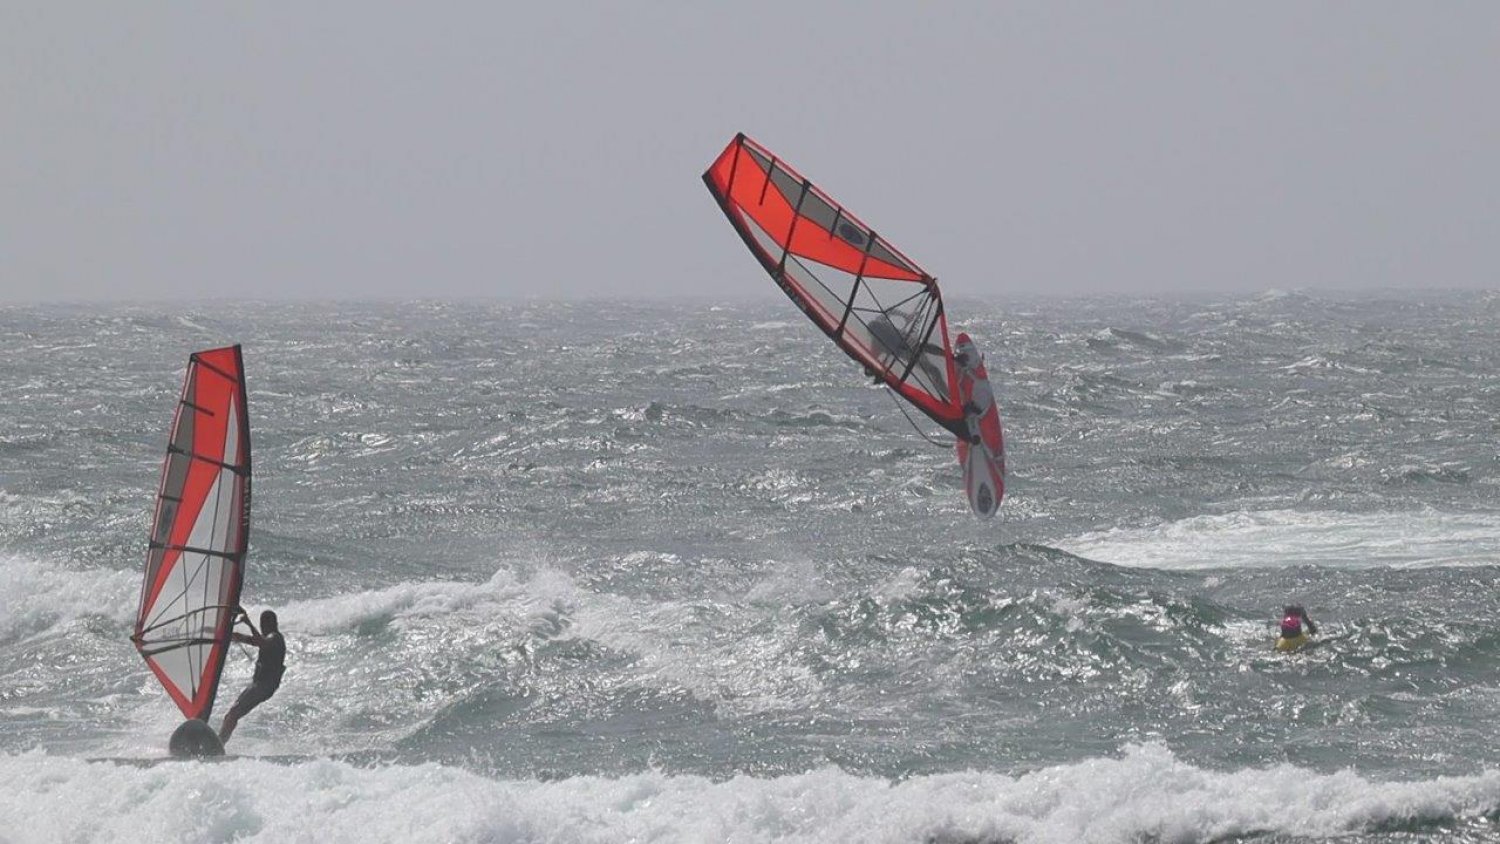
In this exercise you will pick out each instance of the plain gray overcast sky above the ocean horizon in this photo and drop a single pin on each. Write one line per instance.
(554, 149)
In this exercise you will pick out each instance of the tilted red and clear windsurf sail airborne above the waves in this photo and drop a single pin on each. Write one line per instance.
(880, 307)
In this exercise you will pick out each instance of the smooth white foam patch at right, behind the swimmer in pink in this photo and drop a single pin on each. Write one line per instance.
(1288, 537)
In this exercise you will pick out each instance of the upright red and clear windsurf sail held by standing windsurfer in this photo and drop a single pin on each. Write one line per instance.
(196, 558)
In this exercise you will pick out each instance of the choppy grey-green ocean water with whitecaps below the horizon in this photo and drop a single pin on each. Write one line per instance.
(607, 572)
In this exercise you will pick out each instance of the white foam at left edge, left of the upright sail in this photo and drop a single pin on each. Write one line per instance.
(37, 596)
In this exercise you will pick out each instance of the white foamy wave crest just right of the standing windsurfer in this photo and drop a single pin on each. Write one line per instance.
(716, 651)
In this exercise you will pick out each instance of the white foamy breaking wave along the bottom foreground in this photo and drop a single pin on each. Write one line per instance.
(1147, 794)
